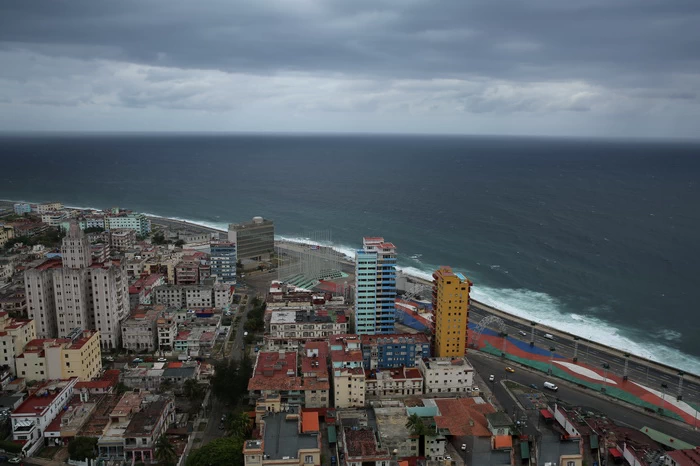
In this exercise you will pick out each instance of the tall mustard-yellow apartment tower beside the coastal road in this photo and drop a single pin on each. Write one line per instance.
(451, 305)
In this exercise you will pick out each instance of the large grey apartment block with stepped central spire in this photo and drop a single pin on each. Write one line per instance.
(75, 293)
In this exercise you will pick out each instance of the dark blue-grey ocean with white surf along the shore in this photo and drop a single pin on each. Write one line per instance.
(596, 237)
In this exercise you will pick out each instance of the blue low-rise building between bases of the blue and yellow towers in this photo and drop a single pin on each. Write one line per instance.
(394, 350)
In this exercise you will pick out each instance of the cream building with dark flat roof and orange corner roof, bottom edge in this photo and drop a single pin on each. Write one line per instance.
(286, 439)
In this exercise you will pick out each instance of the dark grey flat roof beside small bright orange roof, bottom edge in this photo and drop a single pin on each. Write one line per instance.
(282, 437)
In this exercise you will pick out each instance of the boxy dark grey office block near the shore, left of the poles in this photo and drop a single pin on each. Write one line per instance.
(254, 240)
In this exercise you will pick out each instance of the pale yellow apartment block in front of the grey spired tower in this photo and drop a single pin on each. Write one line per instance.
(78, 355)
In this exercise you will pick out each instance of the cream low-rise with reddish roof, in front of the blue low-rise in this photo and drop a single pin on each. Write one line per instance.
(393, 383)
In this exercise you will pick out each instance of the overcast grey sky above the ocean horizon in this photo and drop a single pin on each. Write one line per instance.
(537, 67)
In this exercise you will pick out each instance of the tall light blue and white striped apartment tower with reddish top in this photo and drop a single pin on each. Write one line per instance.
(375, 287)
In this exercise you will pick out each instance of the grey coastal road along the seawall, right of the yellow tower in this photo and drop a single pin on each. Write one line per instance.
(658, 377)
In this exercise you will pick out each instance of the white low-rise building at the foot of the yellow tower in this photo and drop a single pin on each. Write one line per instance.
(446, 375)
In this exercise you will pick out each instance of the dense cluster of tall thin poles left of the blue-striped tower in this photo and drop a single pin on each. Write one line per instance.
(306, 262)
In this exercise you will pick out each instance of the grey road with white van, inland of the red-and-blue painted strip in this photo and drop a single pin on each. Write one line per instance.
(572, 395)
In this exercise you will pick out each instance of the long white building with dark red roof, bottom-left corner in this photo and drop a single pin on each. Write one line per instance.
(31, 419)
